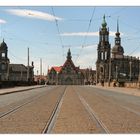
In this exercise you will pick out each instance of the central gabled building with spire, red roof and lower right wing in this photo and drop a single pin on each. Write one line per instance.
(69, 74)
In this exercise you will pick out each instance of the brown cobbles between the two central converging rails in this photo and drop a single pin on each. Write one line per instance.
(73, 118)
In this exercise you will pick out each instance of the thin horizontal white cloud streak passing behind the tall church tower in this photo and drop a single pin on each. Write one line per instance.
(111, 33)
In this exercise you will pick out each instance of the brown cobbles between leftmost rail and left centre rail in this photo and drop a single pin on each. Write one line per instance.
(32, 117)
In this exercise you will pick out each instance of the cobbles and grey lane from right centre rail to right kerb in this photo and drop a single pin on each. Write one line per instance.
(118, 111)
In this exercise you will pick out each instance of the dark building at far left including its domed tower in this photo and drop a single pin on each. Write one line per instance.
(13, 72)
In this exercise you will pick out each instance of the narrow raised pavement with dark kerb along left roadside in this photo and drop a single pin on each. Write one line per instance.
(16, 89)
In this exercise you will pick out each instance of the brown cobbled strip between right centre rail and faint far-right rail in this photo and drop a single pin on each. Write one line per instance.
(117, 116)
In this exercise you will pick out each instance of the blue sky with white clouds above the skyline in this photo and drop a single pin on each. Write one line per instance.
(50, 31)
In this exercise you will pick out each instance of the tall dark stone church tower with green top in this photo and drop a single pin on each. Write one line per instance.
(103, 53)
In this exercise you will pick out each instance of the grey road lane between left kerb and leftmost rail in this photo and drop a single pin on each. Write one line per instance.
(9, 101)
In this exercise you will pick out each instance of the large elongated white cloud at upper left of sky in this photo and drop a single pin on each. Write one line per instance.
(33, 14)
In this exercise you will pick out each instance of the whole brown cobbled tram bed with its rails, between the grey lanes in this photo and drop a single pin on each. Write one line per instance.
(68, 110)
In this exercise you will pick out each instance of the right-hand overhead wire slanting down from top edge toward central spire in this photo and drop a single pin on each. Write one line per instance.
(85, 38)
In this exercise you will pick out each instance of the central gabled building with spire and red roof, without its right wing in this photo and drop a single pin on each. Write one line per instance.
(68, 74)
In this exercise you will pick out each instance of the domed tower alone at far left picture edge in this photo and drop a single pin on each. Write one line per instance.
(4, 61)
